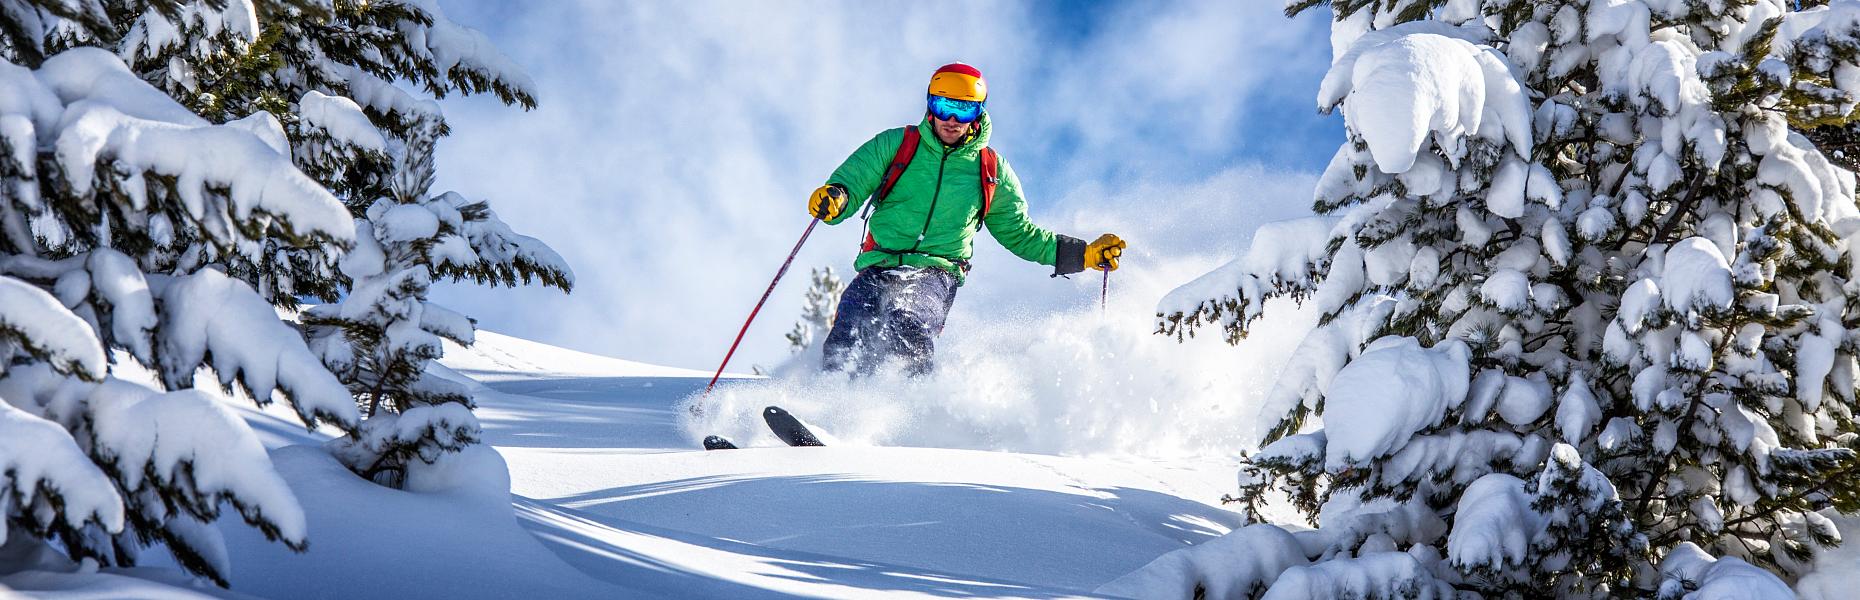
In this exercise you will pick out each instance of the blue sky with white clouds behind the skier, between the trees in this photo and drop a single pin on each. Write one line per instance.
(676, 144)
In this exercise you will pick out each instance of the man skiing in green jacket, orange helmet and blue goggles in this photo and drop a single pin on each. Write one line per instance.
(931, 187)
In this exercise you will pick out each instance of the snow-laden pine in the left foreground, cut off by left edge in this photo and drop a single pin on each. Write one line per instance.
(113, 203)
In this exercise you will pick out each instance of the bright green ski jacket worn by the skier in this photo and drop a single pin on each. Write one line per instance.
(931, 216)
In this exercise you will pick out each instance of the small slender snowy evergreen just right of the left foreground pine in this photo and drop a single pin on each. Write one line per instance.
(386, 332)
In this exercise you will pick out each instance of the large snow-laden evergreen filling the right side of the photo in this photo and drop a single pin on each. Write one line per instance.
(1589, 304)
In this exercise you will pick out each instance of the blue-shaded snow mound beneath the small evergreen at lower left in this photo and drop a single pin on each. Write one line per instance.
(466, 541)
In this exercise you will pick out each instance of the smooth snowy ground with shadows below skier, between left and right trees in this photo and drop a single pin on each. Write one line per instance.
(605, 475)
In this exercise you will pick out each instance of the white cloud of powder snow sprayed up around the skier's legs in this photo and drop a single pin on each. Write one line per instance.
(1078, 385)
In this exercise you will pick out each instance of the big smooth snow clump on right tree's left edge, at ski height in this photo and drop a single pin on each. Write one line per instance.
(1390, 393)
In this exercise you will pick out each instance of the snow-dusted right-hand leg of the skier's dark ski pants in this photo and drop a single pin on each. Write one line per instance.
(914, 315)
